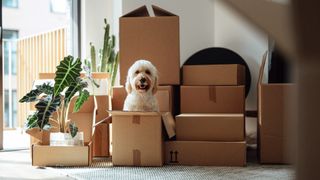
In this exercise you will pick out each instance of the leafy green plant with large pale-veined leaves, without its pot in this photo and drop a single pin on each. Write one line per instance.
(56, 98)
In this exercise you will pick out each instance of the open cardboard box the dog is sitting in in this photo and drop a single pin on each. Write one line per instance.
(137, 139)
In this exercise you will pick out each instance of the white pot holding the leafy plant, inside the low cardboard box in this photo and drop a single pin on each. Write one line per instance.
(65, 139)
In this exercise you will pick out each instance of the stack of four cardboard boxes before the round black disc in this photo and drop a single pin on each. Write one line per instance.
(211, 128)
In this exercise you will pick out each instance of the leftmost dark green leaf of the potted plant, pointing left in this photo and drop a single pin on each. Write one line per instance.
(32, 96)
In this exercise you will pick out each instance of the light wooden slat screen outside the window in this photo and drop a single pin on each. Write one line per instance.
(37, 54)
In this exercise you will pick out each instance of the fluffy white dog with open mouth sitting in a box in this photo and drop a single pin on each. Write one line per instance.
(141, 85)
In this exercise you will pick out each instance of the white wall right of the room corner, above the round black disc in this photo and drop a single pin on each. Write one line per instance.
(234, 32)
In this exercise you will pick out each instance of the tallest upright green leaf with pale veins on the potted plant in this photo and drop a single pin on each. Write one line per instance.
(67, 72)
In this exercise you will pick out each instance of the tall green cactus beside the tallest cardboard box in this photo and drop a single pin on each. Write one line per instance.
(108, 60)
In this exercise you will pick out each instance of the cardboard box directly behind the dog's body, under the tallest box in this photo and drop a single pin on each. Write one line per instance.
(164, 96)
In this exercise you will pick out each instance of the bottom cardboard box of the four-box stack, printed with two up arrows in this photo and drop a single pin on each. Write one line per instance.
(205, 153)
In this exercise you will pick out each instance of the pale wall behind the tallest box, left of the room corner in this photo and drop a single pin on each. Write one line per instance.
(196, 22)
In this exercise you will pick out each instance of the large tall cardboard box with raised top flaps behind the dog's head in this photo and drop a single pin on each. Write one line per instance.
(152, 38)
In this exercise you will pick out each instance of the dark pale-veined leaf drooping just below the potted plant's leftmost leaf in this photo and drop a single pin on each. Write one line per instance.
(46, 106)
